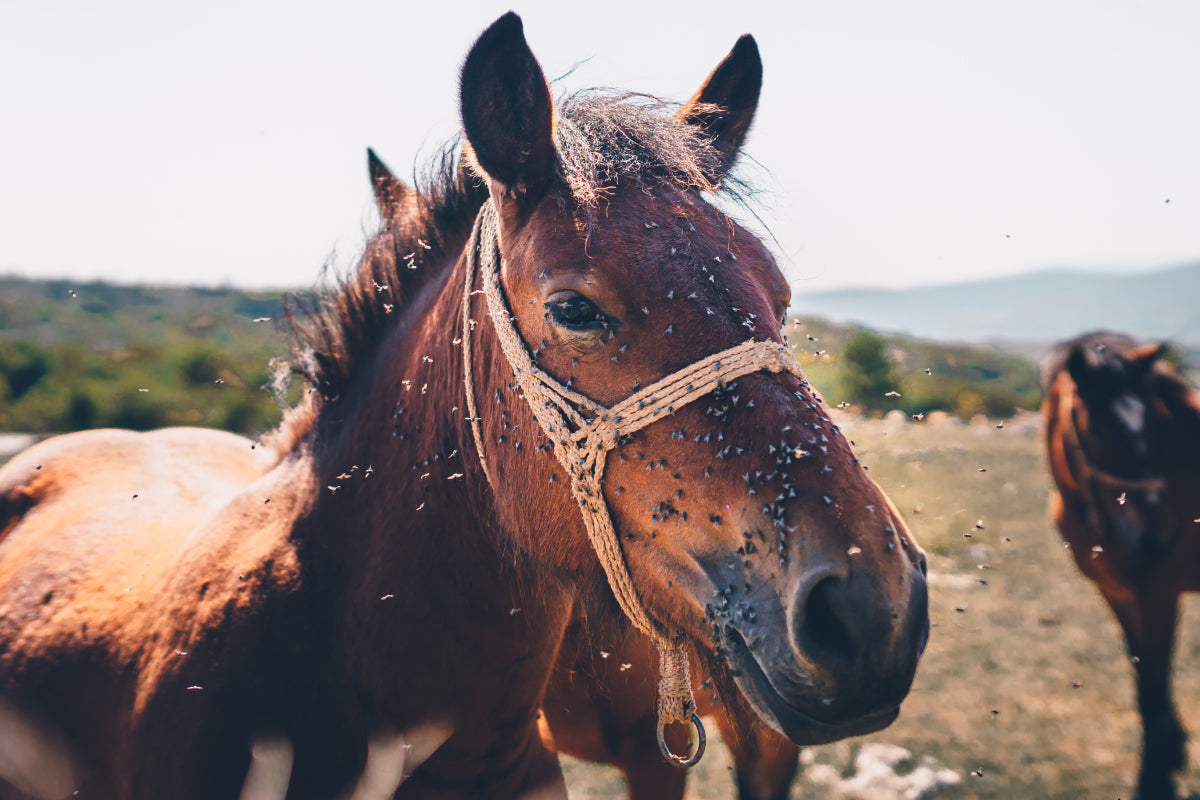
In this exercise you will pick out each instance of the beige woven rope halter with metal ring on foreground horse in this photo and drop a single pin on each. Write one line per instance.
(584, 432)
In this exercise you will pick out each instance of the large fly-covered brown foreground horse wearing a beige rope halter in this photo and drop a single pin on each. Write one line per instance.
(561, 386)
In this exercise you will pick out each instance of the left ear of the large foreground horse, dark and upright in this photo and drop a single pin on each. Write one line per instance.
(507, 112)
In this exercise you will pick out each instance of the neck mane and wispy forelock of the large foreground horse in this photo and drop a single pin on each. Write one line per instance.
(604, 141)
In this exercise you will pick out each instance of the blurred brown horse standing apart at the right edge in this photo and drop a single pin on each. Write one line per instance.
(1124, 438)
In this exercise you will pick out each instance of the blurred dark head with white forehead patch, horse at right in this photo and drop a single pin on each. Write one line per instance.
(1115, 383)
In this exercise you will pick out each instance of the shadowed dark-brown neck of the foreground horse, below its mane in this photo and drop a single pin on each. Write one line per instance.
(439, 597)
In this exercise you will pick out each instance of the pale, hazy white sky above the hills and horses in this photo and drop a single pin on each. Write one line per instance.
(897, 145)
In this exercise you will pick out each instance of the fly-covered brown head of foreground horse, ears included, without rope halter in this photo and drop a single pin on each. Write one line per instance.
(747, 525)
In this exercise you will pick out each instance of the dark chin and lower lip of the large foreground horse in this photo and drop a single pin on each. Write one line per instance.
(801, 726)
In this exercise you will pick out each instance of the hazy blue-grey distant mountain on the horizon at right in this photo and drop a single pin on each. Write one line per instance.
(1041, 306)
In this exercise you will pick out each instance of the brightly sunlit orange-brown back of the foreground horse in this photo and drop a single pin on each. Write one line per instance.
(89, 518)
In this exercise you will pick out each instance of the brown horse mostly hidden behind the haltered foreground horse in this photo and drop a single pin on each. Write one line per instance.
(601, 705)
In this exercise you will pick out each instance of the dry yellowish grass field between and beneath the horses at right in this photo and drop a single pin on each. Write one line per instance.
(1025, 679)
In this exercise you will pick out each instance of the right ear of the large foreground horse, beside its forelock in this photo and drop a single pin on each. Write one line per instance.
(725, 105)
